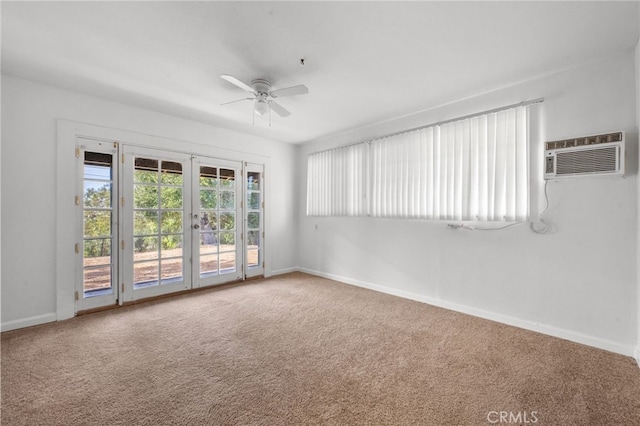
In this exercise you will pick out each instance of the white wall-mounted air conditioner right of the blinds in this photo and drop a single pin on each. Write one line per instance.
(585, 156)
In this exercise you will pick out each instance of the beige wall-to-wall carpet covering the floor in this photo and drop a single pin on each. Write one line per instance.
(297, 350)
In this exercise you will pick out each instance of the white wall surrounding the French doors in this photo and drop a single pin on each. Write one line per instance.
(32, 176)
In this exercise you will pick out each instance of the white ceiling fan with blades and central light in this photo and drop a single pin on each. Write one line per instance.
(263, 96)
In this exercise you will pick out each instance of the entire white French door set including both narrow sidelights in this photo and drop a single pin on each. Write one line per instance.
(156, 222)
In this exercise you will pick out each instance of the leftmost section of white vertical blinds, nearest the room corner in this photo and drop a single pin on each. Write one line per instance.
(337, 182)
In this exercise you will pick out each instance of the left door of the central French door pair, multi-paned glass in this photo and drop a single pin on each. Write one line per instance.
(155, 207)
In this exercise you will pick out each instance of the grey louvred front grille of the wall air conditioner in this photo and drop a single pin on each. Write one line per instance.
(604, 160)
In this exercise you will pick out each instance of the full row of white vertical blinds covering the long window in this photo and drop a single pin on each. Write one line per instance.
(471, 169)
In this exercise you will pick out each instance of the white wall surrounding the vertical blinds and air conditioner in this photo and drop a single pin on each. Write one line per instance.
(577, 282)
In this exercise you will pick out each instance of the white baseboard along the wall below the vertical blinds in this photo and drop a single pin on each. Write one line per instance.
(505, 319)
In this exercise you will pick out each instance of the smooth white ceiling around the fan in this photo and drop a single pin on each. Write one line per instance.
(365, 62)
